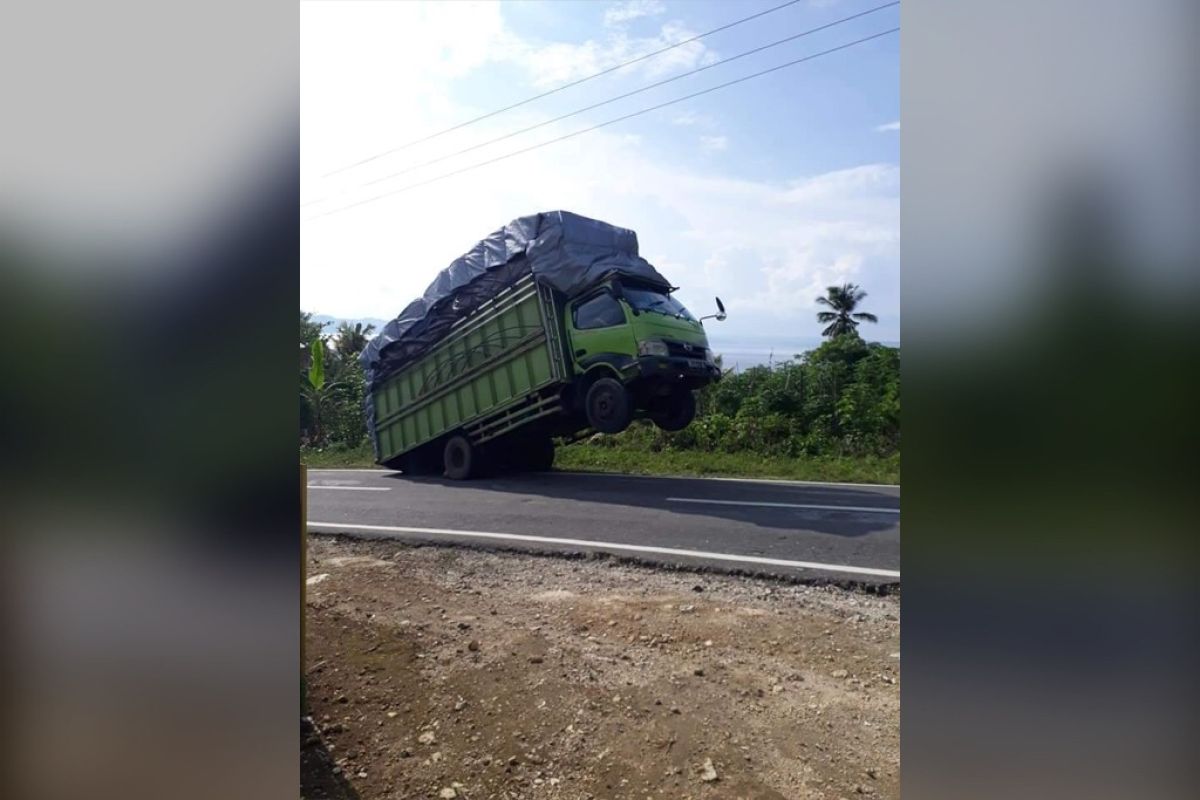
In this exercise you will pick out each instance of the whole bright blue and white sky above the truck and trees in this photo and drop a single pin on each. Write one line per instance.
(763, 194)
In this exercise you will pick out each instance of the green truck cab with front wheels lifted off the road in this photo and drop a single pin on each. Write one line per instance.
(637, 350)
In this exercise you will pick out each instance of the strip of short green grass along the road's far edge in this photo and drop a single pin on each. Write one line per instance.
(637, 461)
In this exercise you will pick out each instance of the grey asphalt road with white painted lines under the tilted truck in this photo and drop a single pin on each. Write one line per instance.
(830, 531)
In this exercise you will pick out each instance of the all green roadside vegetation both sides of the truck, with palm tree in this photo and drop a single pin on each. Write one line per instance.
(831, 414)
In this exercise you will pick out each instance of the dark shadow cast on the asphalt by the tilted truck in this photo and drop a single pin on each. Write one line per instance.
(655, 492)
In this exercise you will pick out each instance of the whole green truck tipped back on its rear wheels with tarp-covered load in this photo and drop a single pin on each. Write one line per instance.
(551, 327)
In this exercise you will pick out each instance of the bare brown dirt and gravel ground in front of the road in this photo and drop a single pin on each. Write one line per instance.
(453, 673)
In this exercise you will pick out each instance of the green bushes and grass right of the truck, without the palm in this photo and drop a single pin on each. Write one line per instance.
(831, 414)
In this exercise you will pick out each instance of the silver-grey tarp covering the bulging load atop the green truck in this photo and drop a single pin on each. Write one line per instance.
(561, 249)
